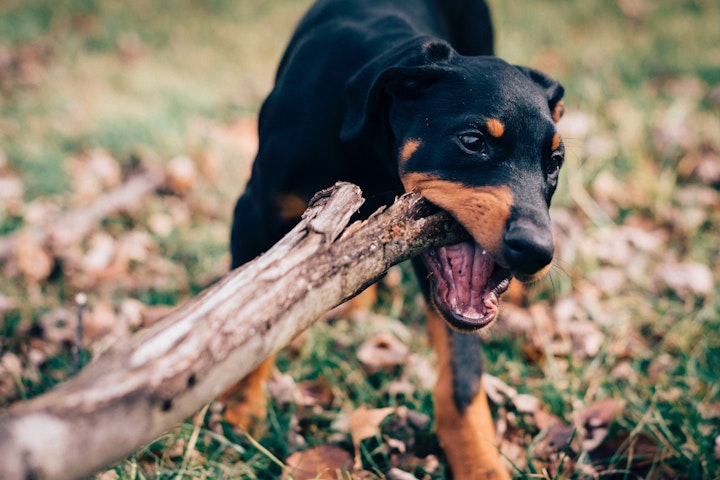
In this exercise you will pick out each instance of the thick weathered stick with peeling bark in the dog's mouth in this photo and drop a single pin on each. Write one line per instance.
(139, 389)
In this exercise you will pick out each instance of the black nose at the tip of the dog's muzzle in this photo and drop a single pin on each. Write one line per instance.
(528, 248)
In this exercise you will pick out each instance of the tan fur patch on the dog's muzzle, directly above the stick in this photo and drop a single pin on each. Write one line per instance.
(483, 211)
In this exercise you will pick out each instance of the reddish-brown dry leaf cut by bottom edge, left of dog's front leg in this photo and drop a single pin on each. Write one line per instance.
(325, 462)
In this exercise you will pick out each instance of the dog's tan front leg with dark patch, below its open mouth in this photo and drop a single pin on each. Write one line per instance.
(462, 414)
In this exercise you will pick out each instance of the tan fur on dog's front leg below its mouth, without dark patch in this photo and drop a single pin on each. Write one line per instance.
(467, 438)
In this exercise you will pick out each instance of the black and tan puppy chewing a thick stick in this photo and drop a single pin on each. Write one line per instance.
(400, 95)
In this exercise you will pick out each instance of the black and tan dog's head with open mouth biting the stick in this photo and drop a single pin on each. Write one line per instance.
(475, 136)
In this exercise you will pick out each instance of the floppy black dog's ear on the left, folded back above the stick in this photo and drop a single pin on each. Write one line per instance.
(401, 72)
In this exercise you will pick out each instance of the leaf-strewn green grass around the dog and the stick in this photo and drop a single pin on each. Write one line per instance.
(637, 211)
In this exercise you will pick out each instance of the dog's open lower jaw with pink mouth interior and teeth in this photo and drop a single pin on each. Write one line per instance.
(467, 284)
